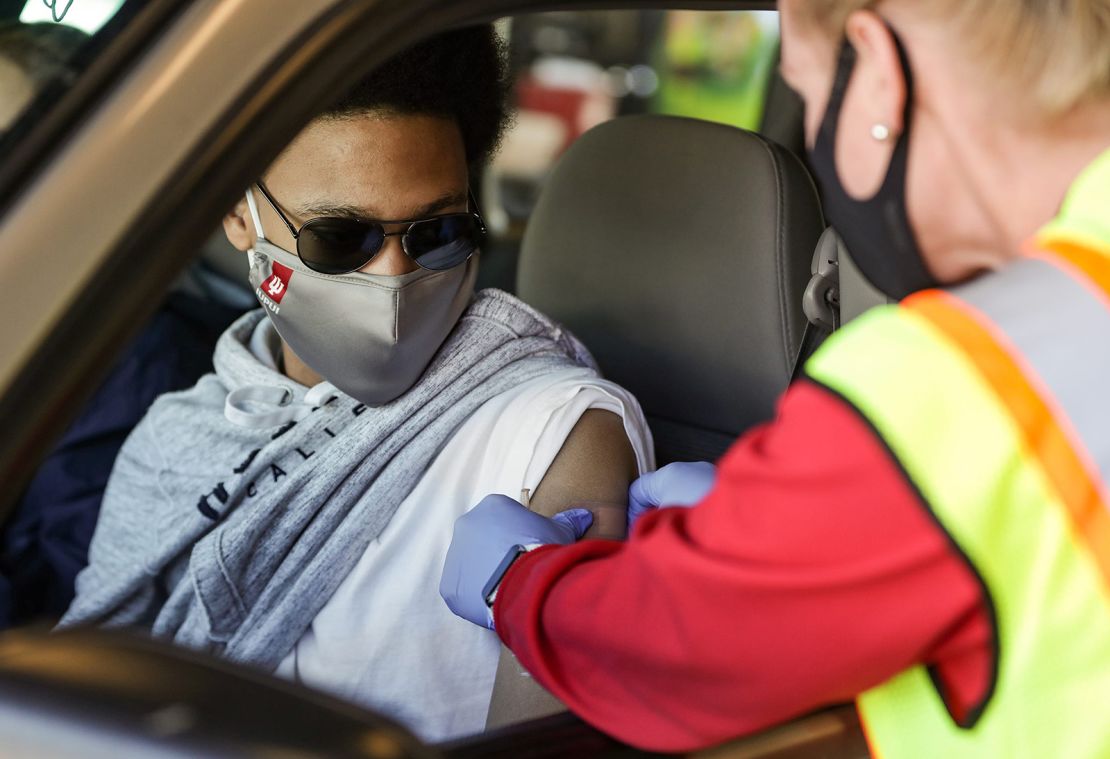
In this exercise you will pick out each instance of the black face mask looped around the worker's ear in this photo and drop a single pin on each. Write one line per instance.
(876, 231)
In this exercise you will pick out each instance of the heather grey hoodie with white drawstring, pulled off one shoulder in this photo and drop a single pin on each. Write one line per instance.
(231, 540)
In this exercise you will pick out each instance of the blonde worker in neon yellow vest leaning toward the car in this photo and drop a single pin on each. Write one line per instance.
(925, 527)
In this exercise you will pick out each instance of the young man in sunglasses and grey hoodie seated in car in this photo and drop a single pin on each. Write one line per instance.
(294, 510)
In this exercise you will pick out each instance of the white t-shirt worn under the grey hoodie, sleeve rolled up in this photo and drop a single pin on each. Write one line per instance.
(386, 640)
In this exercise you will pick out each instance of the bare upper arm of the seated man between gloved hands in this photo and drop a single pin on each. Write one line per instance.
(594, 469)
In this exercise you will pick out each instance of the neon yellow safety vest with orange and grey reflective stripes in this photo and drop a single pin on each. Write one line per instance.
(995, 399)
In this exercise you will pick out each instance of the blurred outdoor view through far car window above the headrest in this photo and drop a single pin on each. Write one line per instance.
(576, 70)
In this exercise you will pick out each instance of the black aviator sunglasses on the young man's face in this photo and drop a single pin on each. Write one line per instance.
(340, 246)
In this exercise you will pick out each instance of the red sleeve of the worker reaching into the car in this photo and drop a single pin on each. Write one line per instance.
(812, 573)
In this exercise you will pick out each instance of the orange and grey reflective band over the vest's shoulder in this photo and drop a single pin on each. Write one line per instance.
(1038, 315)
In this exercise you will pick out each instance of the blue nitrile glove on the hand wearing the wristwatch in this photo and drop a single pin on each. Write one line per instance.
(485, 537)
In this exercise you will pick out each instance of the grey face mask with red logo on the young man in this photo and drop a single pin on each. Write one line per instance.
(370, 336)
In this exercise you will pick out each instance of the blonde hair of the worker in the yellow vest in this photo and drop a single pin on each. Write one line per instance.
(1057, 53)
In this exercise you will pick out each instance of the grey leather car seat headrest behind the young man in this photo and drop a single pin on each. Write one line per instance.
(679, 251)
